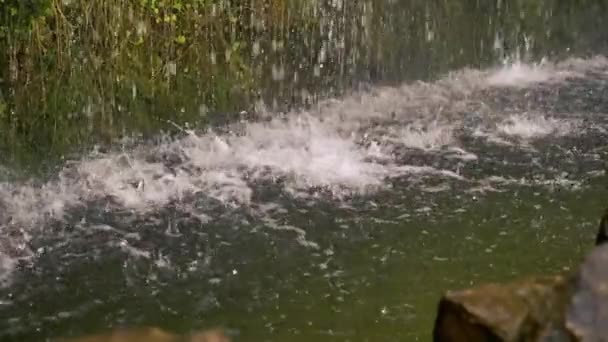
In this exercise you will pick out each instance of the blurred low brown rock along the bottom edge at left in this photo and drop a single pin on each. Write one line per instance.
(152, 335)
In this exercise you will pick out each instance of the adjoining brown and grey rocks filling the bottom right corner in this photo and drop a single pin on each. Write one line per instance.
(561, 308)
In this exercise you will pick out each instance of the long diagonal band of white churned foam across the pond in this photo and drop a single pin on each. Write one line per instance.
(348, 146)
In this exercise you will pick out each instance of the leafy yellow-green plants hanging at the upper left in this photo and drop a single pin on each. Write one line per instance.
(112, 65)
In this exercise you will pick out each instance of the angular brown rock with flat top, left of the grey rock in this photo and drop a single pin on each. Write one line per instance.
(527, 310)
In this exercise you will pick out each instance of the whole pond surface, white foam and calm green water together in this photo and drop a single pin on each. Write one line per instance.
(341, 220)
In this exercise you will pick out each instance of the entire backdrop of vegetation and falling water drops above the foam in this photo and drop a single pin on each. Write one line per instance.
(75, 72)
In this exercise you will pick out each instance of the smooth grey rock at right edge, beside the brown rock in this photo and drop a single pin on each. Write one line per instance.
(587, 316)
